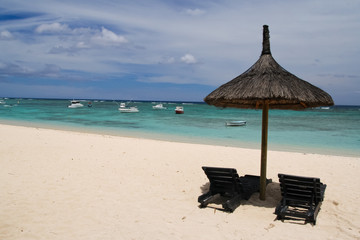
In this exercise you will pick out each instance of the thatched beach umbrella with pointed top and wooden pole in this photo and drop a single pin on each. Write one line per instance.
(267, 85)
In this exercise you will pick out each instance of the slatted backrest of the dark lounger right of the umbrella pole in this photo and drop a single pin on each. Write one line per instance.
(301, 189)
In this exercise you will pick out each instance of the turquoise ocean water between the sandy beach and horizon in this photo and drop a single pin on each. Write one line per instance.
(334, 131)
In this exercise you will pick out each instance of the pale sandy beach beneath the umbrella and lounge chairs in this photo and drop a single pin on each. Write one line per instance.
(68, 185)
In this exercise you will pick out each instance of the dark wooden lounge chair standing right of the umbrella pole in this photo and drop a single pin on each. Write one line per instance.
(301, 198)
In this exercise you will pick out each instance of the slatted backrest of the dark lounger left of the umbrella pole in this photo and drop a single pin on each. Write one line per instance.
(223, 180)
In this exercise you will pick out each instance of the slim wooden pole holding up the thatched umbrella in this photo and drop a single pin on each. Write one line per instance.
(264, 134)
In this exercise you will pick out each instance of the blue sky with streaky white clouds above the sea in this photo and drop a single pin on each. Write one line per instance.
(172, 49)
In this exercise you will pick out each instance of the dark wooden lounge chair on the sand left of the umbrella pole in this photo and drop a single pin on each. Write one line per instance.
(227, 183)
